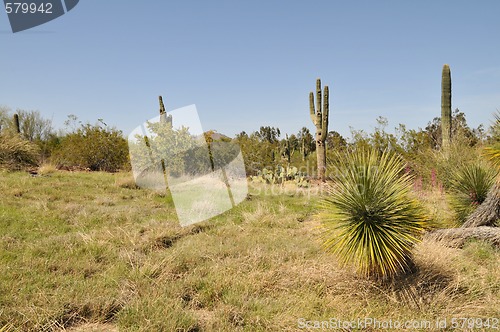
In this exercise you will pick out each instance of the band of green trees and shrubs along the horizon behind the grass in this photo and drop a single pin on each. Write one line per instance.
(103, 148)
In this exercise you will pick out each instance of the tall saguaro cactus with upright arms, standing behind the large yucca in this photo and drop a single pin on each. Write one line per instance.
(319, 117)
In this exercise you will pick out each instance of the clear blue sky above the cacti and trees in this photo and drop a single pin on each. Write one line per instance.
(251, 63)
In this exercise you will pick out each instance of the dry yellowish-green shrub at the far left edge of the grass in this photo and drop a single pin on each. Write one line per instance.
(17, 153)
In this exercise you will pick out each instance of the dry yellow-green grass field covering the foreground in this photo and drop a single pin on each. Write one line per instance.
(90, 252)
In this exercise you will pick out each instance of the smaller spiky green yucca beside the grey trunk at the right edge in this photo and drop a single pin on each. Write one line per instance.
(470, 185)
